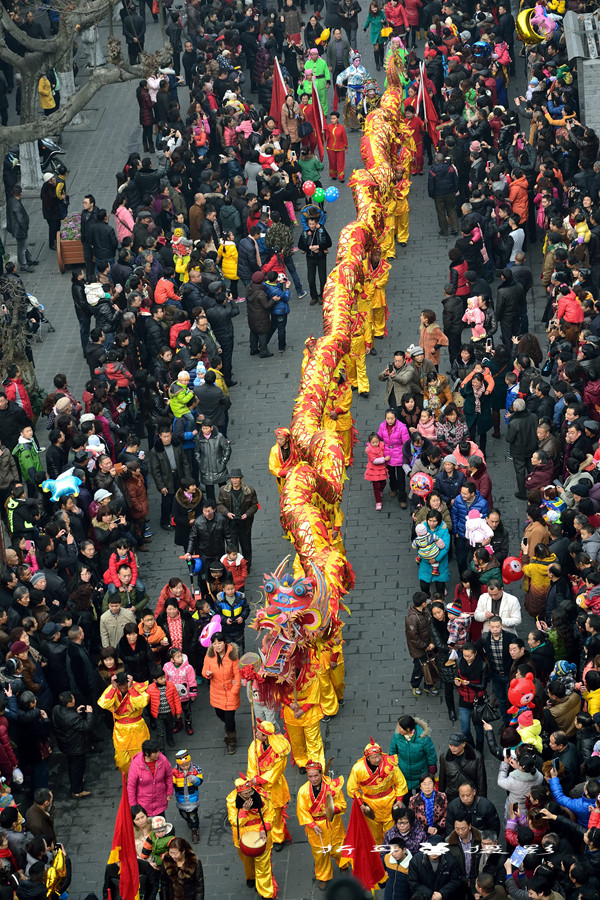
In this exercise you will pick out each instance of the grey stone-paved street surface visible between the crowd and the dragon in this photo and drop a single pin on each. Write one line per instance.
(377, 665)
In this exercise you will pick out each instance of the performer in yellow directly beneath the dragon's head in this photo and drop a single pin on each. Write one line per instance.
(302, 716)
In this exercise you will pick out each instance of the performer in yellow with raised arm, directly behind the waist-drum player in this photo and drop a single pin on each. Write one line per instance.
(267, 758)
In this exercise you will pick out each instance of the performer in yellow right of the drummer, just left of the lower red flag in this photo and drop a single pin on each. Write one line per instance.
(319, 806)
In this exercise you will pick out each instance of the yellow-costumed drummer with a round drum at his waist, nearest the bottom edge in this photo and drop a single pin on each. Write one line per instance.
(251, 818)
